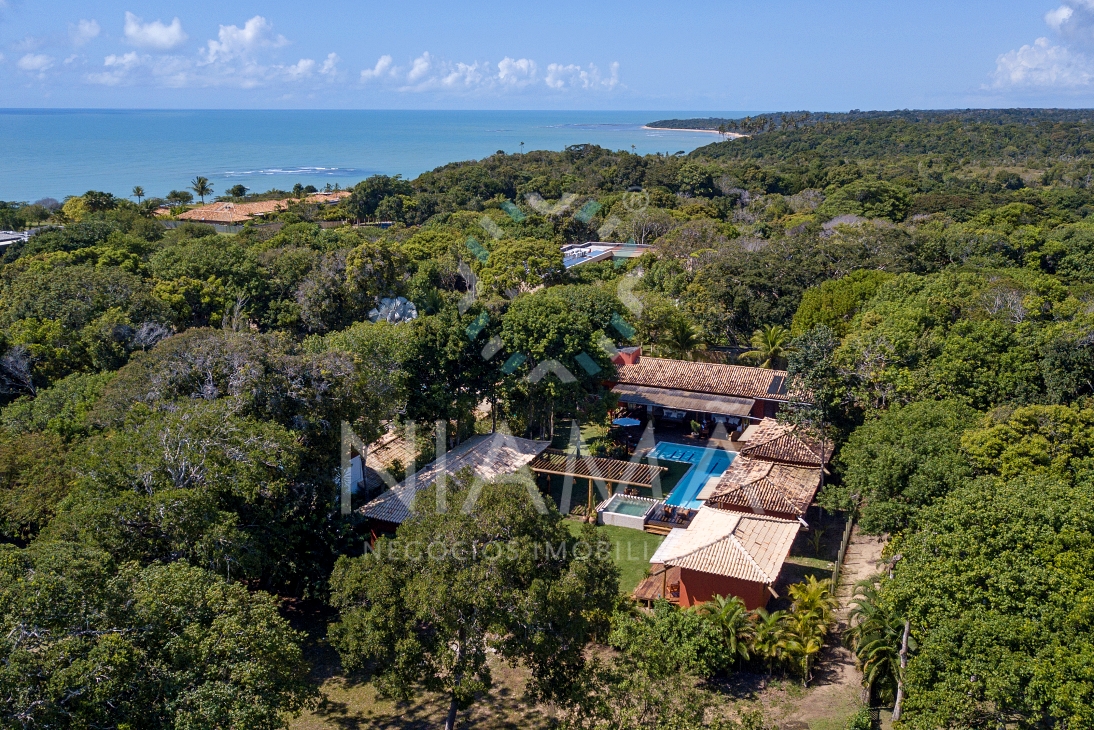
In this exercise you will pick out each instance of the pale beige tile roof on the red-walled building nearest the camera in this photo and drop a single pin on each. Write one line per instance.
(734, 544)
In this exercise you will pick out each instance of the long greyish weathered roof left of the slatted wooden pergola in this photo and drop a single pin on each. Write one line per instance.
(488, 457)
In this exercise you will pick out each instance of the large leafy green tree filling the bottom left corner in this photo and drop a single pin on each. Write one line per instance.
(88, 643)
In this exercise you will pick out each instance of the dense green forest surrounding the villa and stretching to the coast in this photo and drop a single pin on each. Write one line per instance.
(173, 400)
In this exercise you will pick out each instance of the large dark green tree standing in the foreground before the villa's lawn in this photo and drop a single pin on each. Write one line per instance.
(427, 609)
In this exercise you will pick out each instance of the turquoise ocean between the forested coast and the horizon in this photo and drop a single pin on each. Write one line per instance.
(61, 153)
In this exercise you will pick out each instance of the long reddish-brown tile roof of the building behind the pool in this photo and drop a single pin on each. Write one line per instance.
(712, 378)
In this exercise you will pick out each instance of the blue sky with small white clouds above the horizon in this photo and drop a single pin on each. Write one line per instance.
(704, 55)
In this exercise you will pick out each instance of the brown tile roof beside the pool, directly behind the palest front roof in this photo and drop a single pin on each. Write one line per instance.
(762, 488)
